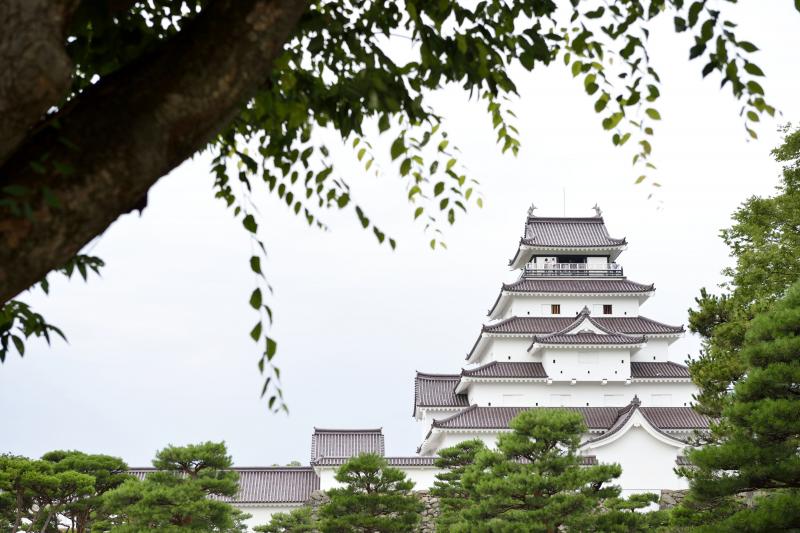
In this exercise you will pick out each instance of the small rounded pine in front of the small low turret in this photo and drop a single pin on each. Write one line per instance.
(375, 498)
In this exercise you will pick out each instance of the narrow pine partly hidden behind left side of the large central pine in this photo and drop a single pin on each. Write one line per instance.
(448, 486)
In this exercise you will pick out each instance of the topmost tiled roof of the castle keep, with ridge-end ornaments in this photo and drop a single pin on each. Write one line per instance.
(568, 232)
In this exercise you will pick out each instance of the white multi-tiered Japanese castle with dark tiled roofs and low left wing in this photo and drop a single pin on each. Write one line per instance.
(568, 333)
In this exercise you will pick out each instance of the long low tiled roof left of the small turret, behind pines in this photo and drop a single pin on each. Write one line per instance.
(267, 485)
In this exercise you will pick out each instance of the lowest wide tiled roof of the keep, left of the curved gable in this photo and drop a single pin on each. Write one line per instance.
(498, 417)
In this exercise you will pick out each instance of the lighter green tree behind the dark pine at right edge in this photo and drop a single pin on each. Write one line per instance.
(765, 244)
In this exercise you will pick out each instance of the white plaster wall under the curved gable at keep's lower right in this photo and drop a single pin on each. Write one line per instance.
(647, 463)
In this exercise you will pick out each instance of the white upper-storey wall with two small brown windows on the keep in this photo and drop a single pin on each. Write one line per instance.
(572, 305)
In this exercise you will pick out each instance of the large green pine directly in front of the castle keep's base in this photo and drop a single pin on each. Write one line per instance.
(534, 482)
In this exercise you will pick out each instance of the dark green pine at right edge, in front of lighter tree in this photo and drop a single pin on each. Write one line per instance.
(759, 433)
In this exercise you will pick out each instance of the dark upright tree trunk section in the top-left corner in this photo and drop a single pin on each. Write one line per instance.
(36, 68)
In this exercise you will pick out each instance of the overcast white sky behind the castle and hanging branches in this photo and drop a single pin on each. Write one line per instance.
(158, 347)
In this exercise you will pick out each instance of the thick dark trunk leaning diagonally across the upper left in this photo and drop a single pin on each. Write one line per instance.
(119, 137)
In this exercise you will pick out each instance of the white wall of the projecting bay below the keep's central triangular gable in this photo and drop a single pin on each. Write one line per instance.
(589, 364)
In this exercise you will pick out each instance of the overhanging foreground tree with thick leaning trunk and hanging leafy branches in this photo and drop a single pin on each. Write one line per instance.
(108, 96)
